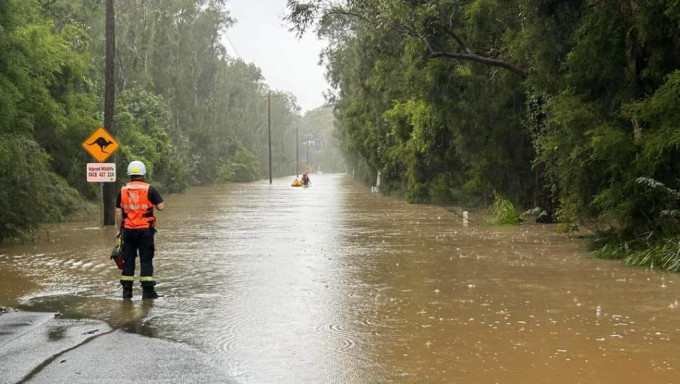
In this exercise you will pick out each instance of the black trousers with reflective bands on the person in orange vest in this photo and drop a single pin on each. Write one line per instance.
(134, 241)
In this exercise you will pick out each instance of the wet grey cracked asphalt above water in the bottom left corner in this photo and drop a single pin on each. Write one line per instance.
(42, 348)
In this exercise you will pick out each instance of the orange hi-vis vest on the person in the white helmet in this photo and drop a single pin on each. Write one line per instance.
(137, 209)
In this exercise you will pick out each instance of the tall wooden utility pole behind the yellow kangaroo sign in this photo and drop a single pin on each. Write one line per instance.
(108, 189)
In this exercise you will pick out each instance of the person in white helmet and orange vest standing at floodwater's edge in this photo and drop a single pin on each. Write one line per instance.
(137, 225)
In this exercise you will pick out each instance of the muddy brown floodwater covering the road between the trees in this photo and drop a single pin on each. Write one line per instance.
(333, 284)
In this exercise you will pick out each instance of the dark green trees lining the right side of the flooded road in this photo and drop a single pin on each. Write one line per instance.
(560, 105)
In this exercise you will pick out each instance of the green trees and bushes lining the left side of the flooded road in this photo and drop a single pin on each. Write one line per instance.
(180, 100)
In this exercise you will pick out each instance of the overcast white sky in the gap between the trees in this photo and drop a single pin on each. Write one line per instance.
(288, 64)
